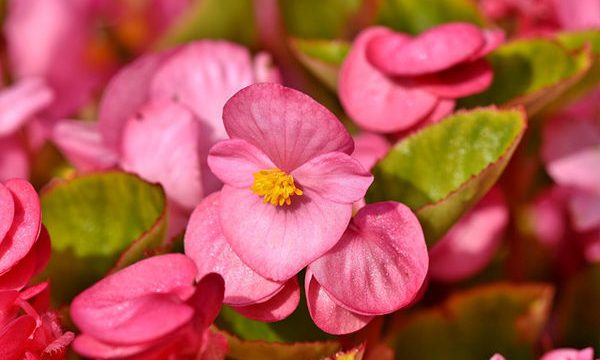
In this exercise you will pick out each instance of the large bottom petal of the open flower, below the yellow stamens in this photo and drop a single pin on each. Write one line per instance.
(278, 241)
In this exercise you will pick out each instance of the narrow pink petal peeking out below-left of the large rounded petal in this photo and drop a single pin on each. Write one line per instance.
(326, 314)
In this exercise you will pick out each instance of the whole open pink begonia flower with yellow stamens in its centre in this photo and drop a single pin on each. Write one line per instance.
(289, 179)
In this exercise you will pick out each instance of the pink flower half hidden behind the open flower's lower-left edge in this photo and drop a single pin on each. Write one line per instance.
(246, 291)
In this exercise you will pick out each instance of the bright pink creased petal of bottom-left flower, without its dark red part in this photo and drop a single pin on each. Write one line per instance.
(142, 301)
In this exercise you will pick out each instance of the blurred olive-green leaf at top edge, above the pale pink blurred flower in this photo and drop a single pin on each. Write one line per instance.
(214, 19)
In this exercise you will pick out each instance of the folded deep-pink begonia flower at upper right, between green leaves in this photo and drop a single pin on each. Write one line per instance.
(391, 82)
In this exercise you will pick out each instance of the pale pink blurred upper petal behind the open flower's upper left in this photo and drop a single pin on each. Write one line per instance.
(204, 75)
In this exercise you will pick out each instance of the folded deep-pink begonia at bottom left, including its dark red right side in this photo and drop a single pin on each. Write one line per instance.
(150, 309)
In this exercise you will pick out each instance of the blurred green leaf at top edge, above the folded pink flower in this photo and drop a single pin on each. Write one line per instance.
(415, 16)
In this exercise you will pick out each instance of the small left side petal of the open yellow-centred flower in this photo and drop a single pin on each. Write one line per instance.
(235, 161)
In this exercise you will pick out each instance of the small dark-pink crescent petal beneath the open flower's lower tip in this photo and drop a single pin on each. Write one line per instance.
(276, 308)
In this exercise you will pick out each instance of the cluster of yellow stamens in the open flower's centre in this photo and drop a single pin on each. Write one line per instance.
(275, 186)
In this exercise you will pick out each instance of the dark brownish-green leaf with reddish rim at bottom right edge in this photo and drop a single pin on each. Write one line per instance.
(501, 318)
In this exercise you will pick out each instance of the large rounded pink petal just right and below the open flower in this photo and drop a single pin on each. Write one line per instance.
(386, 248)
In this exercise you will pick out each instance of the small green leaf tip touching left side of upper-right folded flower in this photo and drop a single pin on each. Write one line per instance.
(322, 57)
